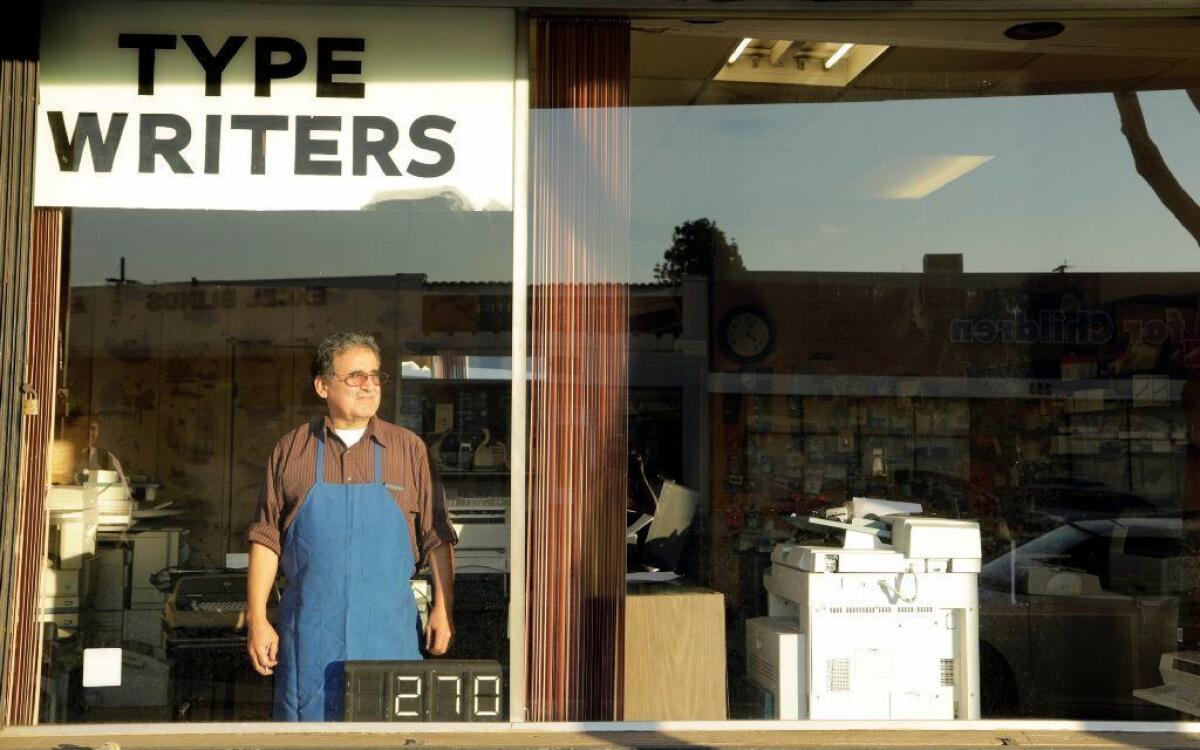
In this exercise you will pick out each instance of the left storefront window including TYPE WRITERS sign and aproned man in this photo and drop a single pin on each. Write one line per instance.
(190, 351)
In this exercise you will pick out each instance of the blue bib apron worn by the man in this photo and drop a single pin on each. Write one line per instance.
(349, 561)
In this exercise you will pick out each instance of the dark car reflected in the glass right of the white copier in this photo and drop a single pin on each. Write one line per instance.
(1075, 620)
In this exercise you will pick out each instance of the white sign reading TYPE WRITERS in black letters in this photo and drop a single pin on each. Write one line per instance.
(274, 107)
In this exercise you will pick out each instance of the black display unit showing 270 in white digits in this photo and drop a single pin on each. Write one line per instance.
(435, 691)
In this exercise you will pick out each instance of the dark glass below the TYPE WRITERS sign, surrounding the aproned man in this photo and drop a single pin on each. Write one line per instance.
(191, 338)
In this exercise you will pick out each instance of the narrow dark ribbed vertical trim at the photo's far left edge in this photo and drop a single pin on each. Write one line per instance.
(19, 105)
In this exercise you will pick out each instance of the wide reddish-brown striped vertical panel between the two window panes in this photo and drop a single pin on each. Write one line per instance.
(578, 451)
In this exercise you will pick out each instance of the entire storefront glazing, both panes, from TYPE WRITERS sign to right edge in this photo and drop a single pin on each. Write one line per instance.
(905, 399)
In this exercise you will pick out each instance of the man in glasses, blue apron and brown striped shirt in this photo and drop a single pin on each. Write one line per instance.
(350, 511)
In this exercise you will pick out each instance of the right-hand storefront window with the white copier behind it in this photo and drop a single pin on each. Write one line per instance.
(921, 269)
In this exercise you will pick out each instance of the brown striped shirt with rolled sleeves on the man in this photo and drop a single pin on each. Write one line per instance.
(292, 470)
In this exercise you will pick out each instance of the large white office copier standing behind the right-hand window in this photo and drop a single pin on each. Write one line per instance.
(885, 627)
